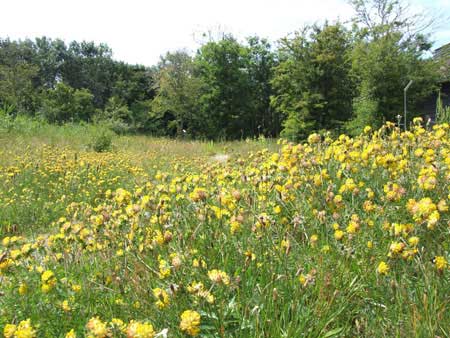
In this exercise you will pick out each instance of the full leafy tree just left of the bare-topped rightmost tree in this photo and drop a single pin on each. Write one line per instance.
(313, 84)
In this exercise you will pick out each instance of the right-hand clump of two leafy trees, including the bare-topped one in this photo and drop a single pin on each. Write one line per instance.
(329, 77)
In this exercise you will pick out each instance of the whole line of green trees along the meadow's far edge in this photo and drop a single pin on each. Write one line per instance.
(330, 77)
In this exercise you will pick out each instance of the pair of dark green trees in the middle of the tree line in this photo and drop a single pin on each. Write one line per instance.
(235, 96)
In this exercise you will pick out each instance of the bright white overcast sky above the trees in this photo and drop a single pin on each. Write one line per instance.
(139, 31)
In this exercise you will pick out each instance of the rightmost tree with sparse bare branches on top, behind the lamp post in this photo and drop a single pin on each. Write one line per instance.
(389, 51)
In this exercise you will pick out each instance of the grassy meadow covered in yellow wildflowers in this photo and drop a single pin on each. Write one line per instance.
(163, 238)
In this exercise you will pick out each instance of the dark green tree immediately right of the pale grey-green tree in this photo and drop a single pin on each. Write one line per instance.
(223, 67)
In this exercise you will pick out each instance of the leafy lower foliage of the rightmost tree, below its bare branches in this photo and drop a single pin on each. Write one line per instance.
(384, 67)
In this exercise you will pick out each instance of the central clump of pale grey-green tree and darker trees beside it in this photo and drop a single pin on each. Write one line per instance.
(223, 92)
